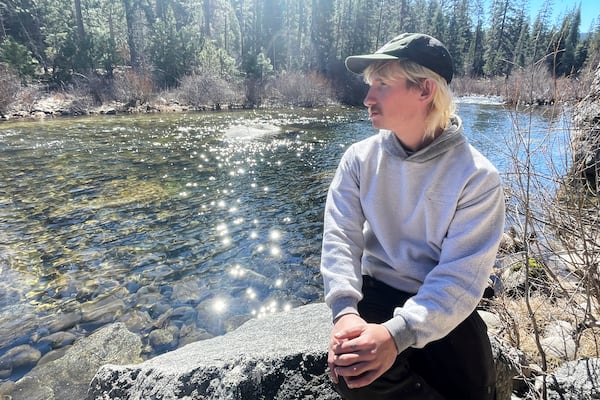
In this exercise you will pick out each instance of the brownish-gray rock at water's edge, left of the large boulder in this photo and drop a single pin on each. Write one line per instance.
(68, 377)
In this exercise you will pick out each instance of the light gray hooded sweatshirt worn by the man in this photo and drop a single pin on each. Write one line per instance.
(427, 223)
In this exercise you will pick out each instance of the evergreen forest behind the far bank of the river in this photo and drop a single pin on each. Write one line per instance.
(228, 47)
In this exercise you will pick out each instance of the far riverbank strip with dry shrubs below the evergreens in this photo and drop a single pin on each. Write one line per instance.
(131, 96)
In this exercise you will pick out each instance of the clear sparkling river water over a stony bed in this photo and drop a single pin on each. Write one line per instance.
(187, 222)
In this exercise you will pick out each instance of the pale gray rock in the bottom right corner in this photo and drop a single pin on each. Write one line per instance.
(575, 380)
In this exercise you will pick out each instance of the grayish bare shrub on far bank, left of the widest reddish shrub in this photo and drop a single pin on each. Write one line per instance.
(209, 91)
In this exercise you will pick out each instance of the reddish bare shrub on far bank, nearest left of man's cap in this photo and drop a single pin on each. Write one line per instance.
(298, 89)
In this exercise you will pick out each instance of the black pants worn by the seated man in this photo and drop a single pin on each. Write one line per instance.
(459, 366)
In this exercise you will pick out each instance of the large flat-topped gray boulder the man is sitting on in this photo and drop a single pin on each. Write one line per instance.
(281, 356)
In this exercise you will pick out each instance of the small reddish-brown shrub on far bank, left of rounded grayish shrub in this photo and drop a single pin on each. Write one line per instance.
(133, 88)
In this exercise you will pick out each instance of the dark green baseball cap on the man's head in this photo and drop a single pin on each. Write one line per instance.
(422, 49)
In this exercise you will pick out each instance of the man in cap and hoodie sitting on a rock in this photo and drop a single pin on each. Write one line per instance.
(413, 219)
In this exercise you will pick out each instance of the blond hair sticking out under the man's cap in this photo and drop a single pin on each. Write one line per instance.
(442, 106)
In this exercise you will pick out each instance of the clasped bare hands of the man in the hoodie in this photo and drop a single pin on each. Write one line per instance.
(359, 352)
